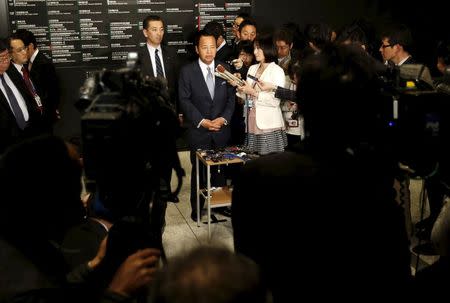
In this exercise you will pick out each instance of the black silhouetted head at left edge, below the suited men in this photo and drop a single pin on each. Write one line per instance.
(41, 186)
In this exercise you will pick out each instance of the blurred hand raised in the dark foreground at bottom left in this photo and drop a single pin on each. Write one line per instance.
(136, 272)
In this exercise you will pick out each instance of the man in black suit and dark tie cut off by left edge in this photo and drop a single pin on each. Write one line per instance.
(19, 117)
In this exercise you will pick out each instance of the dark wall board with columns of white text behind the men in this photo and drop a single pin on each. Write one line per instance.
(95, 33)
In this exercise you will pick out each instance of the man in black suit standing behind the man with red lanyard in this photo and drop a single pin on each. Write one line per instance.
(43, 75)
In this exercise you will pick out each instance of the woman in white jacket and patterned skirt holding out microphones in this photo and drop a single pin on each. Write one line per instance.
(265, 126)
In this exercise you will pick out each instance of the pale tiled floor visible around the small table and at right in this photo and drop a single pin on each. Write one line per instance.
(182, 234)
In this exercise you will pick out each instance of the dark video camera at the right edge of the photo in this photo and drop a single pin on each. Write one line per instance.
(418, 114)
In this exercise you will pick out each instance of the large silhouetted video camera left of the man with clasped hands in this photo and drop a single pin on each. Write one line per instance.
(127, 147)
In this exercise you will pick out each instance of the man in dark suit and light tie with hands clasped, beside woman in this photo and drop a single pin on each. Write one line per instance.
(207, 103)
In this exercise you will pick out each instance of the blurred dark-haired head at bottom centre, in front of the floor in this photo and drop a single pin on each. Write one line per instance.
(210, 274)
